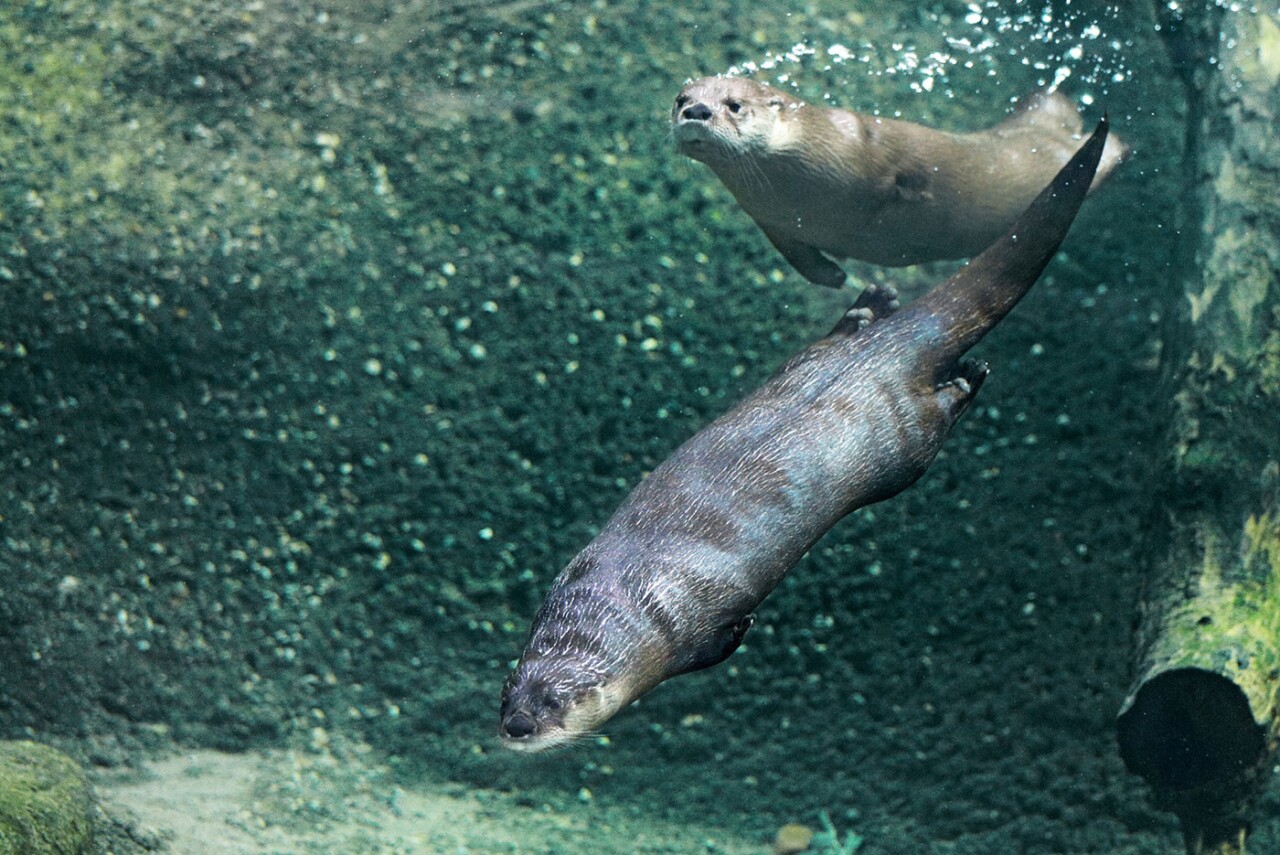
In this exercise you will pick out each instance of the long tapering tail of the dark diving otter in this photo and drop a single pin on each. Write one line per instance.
(963, 309)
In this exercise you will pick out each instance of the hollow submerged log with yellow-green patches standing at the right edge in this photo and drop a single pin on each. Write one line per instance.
(1203, 719)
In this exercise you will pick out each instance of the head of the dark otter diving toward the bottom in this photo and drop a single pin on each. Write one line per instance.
(552, 701)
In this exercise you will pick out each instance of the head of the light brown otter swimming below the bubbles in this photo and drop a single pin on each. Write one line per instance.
(724, 118)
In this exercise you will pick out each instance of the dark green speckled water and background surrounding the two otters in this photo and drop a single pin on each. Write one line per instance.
(332, 333)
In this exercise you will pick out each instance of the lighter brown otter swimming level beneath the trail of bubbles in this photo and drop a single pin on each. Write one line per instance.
(833, 182)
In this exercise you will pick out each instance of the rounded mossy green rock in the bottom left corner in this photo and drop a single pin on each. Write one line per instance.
(45, 802)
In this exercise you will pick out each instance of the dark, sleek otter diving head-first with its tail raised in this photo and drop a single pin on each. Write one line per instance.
(671, 582)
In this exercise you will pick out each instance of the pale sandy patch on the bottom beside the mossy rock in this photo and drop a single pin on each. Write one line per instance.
(301, 802)
